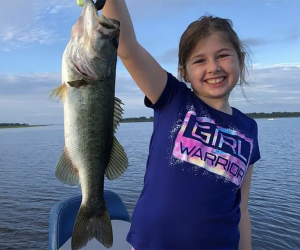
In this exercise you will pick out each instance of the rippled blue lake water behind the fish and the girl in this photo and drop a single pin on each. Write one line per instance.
(29, 189)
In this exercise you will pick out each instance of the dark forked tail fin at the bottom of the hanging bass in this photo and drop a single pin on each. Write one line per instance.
(91, 225)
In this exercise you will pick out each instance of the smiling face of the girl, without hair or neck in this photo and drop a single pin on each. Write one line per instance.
(213, 68)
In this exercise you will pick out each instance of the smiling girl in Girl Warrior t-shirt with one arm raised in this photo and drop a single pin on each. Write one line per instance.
(202, 150)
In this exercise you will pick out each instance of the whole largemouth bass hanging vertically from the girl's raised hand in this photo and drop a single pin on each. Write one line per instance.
(91, 116)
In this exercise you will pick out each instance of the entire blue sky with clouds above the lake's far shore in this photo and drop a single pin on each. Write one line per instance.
(34, 34)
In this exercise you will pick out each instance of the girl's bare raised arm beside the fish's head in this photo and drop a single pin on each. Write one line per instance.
(143, 68)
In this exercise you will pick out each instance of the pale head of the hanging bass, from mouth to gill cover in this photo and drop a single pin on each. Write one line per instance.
(92, 35)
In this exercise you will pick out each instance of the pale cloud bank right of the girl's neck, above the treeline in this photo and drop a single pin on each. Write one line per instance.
(274, 88)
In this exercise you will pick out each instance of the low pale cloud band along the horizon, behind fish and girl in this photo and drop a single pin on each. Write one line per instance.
(23, 98)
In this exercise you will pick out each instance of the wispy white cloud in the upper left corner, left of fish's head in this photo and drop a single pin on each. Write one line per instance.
(24, 22)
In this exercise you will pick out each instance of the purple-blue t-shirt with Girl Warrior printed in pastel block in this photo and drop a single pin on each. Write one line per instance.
(198, 158)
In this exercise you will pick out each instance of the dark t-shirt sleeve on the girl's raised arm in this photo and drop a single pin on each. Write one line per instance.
(171, 89)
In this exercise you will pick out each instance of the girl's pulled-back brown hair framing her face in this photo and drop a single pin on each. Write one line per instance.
(204, 27)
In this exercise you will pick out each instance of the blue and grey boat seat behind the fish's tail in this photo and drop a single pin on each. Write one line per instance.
(63, 216)
